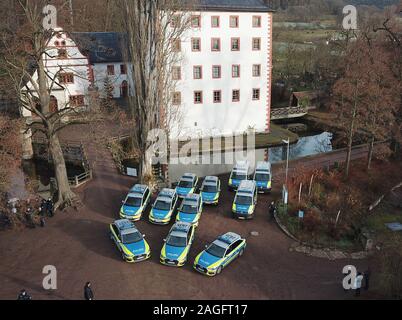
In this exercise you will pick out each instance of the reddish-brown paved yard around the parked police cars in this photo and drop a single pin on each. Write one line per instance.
(78, 245)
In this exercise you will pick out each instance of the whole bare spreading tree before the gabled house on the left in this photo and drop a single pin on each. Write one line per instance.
(24, 57)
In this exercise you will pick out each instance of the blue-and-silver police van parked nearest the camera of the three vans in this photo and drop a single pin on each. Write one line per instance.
(245, 200)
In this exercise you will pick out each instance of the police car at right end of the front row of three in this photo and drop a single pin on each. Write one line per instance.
(219, 254)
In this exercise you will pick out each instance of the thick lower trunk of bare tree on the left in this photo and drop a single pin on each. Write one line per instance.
(66, 196)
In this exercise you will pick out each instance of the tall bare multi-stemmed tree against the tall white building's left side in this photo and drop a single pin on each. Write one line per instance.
(155, 30)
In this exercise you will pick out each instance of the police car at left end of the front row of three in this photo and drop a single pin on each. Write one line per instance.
(129, 241)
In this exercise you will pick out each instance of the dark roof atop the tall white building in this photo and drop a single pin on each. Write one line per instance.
(231, 5)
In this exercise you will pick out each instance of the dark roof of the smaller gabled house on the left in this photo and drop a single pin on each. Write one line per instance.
(102, 47)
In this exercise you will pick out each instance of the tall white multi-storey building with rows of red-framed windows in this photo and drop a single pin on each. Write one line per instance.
(224, 77)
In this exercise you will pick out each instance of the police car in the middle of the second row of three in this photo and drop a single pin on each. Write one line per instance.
(163, 207)
